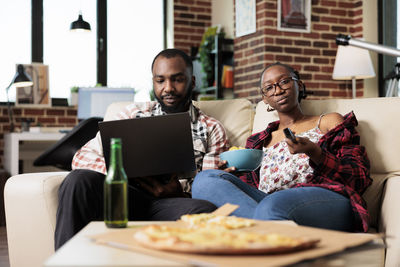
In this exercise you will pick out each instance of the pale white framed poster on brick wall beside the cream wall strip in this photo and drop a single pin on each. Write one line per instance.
(245, 17)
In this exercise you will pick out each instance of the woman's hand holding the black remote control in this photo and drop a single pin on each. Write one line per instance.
(304, 145)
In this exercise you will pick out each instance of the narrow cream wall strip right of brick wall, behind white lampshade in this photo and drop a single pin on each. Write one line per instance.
(370, 34)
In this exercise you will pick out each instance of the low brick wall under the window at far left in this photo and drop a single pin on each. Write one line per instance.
(46, 117)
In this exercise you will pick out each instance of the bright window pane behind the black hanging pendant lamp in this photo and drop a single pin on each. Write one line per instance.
(71, 56)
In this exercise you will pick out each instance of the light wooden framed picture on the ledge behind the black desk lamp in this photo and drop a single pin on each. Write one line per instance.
(38, 93)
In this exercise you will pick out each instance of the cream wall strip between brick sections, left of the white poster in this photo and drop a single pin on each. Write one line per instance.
(223, 13)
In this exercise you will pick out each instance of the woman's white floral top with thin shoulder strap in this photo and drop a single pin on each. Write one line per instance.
(280, 169)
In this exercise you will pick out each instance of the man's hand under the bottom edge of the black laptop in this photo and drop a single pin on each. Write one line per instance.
(161, 188)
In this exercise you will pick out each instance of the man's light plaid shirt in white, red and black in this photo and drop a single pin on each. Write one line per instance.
(209, 140)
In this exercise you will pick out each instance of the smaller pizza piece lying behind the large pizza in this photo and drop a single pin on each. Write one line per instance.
(214, 220)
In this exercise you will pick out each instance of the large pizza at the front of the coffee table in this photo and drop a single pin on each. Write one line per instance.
(217, 240)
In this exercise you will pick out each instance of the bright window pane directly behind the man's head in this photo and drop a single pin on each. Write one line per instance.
(135, 35)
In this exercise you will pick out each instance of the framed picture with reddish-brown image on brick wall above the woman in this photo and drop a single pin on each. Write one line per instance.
(294, 15)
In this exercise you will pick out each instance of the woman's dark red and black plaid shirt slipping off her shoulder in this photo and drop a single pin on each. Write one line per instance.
(344, 166)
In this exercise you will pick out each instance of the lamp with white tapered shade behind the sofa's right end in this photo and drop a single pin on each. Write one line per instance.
(352, 63)
